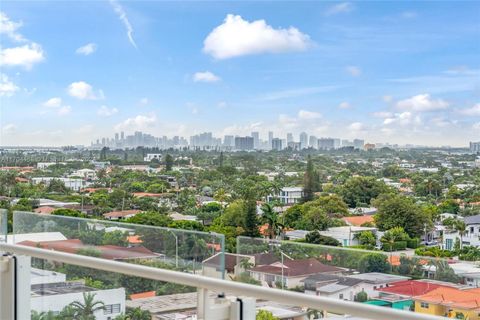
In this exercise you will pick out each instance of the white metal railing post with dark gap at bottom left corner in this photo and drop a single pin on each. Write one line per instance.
(14, 287)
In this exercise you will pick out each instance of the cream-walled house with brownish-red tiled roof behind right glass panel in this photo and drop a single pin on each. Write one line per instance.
(292, 272)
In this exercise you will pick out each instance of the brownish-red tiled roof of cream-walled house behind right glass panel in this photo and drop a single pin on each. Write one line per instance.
(294, 268)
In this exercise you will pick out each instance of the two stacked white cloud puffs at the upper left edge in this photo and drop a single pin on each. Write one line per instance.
(24, 56)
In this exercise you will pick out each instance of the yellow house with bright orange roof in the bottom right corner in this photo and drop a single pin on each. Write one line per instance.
(450, 303)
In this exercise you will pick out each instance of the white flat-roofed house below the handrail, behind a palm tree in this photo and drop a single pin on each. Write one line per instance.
(54, 297)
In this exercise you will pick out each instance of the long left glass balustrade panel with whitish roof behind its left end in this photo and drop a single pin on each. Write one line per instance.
(183, 250)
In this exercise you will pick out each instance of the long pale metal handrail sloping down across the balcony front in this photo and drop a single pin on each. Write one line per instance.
(236, 288)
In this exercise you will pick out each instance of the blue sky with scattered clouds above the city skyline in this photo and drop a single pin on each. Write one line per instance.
(403, 72)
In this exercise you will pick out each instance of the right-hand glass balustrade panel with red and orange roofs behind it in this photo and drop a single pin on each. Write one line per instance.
(401, 281)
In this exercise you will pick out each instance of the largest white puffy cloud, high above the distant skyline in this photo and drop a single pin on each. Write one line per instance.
(239, 37)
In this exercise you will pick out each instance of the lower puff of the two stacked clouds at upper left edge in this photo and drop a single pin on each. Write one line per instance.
(25, 56)
